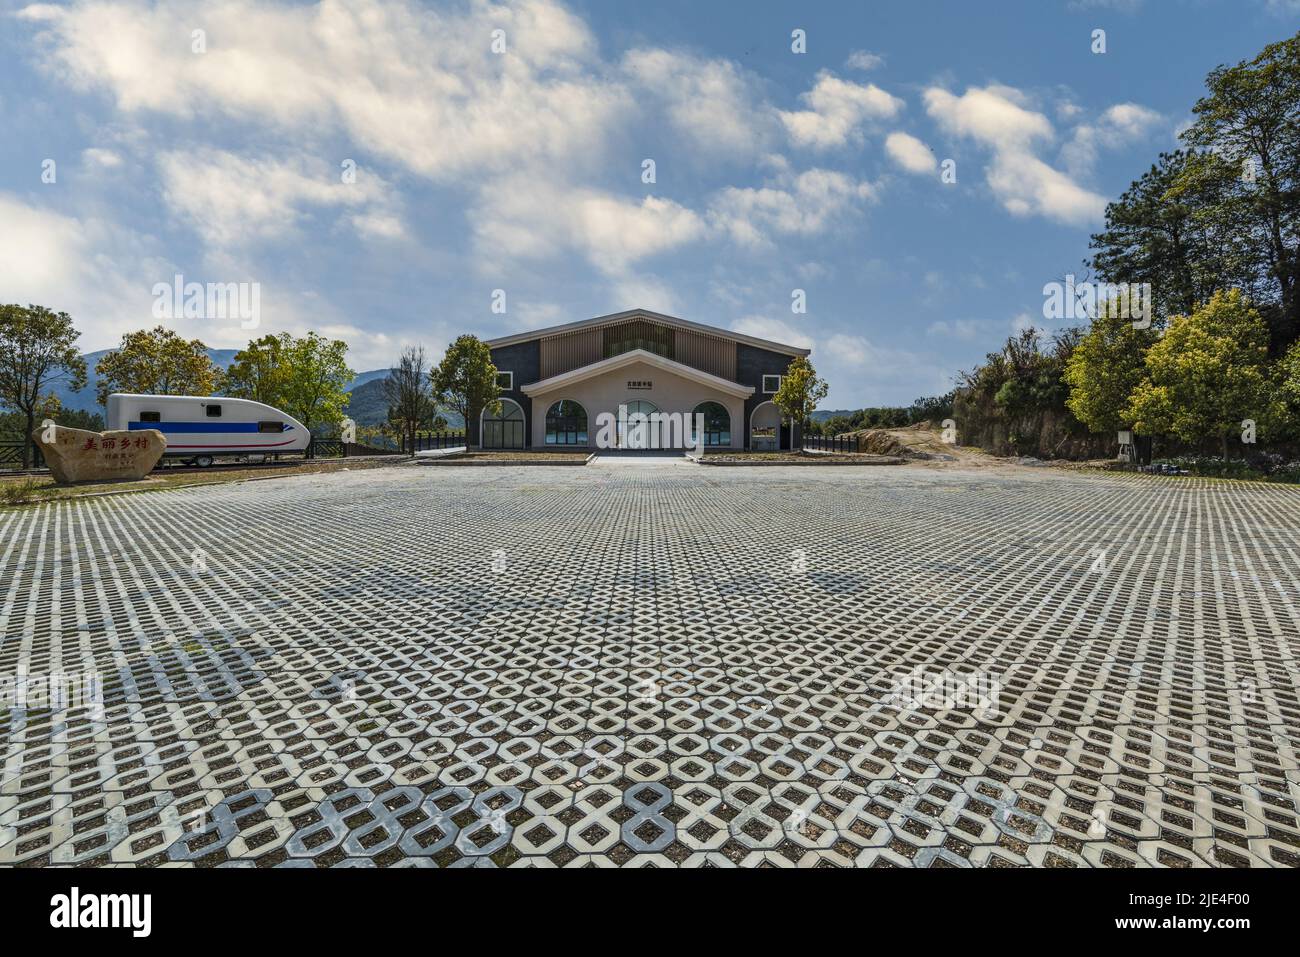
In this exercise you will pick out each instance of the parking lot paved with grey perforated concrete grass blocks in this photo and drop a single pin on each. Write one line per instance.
(424, 666)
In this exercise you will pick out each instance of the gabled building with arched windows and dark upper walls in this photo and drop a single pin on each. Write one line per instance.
(557, 382)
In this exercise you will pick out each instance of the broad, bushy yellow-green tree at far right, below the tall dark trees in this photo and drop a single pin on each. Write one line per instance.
(1207, 375)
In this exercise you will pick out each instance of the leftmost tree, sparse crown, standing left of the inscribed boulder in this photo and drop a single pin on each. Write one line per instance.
(38, 349)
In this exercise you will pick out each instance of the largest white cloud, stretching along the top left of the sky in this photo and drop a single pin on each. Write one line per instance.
(417, 85)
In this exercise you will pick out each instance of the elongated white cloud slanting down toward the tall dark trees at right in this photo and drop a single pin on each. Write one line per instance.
(1000, 119)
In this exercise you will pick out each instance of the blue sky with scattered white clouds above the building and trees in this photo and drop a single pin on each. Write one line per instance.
(523, 171)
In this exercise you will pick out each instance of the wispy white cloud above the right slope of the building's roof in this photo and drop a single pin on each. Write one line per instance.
(803, 205)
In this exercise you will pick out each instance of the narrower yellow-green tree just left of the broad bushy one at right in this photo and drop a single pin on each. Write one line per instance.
(1106, 367)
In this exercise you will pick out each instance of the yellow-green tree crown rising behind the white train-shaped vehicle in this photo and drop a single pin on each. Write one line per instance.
(158, 362)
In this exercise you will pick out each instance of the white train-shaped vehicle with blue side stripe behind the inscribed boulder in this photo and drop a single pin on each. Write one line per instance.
(203, 427)
